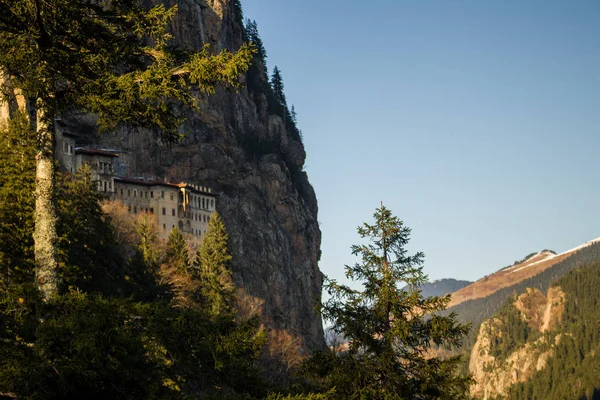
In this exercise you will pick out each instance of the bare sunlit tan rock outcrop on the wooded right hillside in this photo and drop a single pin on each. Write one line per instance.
(493, 374)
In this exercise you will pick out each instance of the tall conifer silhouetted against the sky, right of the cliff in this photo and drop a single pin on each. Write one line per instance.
(389, 330)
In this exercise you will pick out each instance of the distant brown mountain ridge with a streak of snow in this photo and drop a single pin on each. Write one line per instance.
(514, 274)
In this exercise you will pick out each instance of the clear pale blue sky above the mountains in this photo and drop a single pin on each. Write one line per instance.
(476, 122)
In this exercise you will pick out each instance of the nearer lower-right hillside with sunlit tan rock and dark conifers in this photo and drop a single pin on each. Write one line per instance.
(543, 346)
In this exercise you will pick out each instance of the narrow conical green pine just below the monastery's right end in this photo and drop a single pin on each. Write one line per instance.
(212, 269)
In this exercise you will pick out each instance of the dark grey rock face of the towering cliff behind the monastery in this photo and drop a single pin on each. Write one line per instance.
(247, 154)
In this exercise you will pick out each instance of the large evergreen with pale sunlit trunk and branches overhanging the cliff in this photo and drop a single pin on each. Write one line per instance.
(113, 58)
